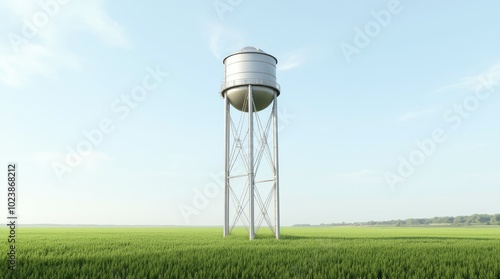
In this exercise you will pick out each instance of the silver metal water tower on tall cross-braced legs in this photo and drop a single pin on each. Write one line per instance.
(250, 94)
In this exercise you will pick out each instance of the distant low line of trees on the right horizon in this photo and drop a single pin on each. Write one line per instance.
(476, 219)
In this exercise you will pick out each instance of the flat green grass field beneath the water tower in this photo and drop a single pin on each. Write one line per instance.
(340, 252)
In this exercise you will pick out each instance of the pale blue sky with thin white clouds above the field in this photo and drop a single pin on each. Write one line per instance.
(361, 84)
